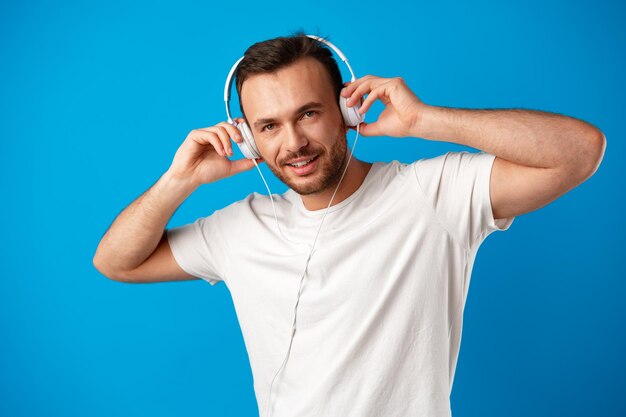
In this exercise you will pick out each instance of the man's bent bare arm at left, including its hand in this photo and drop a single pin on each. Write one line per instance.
(135, 248)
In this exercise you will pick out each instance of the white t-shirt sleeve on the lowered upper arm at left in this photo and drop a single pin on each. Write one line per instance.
(199, 248)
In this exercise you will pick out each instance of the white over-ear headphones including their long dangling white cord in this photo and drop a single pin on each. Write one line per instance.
(351, 117)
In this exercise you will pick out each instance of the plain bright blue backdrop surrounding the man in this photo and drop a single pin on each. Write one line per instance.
(95, 100)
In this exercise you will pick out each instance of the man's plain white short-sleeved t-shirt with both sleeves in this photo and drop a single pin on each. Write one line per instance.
(381, 310)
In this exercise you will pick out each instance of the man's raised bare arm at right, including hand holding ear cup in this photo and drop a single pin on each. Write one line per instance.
(539, 156)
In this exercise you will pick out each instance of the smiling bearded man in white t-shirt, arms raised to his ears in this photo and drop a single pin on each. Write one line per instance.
(380, 313)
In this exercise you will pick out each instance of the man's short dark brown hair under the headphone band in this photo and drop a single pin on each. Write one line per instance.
(274, 54)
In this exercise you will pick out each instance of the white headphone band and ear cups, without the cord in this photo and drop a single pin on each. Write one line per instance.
(248, 148)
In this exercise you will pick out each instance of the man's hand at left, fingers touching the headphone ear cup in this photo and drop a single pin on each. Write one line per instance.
(203, 156)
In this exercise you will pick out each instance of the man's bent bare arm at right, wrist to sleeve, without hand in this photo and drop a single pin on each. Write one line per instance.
(539, 156)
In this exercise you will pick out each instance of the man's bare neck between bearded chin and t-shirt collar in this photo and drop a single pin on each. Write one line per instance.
(352, 180)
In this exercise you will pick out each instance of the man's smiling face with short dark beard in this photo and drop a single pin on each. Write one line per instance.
(293, 114)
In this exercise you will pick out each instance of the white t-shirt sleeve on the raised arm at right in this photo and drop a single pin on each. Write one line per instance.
(457, 187)
